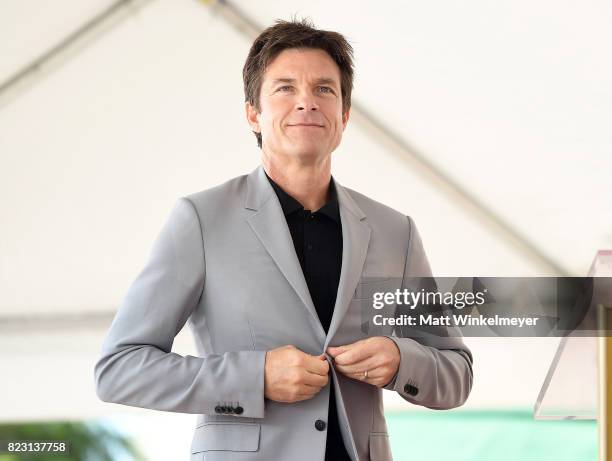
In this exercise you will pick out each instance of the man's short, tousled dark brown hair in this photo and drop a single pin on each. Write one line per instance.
(295, 34)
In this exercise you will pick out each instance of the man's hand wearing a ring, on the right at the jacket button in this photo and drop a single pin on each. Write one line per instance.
(378, 355)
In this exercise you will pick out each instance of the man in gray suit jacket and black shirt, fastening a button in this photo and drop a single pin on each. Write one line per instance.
(270, 269)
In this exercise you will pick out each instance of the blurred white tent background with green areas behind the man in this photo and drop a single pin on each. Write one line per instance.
(487, 122)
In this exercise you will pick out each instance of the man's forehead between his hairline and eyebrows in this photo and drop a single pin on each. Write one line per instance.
(299, 63)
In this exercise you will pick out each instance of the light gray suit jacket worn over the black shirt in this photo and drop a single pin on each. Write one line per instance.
(225, 262)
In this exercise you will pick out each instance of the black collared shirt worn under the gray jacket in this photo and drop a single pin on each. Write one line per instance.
(317, 238)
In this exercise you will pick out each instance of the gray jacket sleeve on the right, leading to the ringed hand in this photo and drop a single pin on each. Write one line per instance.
(435, 367)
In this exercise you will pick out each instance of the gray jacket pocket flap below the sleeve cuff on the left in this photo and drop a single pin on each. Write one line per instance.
(226, 436)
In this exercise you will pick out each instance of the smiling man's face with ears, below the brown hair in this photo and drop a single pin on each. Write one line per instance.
(301, 106)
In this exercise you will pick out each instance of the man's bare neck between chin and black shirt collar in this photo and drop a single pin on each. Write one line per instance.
(307, 183)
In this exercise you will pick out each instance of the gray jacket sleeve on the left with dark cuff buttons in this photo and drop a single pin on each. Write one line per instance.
(137, 367)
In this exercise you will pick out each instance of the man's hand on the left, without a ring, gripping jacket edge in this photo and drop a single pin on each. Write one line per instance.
(292, 375)
